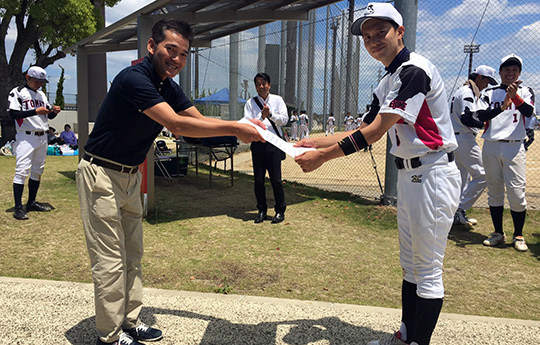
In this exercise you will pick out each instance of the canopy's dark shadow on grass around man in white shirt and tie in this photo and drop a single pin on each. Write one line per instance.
(191, 196)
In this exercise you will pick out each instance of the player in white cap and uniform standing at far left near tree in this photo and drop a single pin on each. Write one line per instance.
(29, 107)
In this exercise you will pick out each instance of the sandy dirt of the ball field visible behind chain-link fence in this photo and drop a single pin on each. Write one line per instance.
(358, 173)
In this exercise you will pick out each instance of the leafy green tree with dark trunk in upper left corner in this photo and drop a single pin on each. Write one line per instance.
(44, 27)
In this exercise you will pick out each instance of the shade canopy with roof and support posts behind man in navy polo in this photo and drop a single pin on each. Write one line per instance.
(210, 20)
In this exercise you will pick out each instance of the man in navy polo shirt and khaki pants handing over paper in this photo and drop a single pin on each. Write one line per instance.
(141, 101)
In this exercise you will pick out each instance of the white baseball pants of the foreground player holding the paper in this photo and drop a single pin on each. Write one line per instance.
(428, 198)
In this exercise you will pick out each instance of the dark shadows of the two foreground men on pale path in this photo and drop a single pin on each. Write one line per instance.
(222, 331)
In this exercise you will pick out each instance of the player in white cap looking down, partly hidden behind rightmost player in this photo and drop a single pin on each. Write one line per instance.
(468, 154)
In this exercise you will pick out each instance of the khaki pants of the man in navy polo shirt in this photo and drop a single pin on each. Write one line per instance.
(111, 213)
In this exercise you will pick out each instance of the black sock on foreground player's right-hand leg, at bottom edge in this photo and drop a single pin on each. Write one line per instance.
(427, 314)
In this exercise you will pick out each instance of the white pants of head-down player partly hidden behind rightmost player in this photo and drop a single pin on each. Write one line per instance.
(469, 162)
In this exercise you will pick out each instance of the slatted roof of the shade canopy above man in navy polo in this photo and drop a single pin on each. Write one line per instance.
(210, 19)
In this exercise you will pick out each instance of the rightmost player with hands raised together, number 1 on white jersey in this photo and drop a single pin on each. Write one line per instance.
(504, 109)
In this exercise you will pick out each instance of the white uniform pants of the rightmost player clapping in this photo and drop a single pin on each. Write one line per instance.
(505, 166)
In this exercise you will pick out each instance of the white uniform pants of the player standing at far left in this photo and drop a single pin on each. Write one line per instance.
(30, 152)
